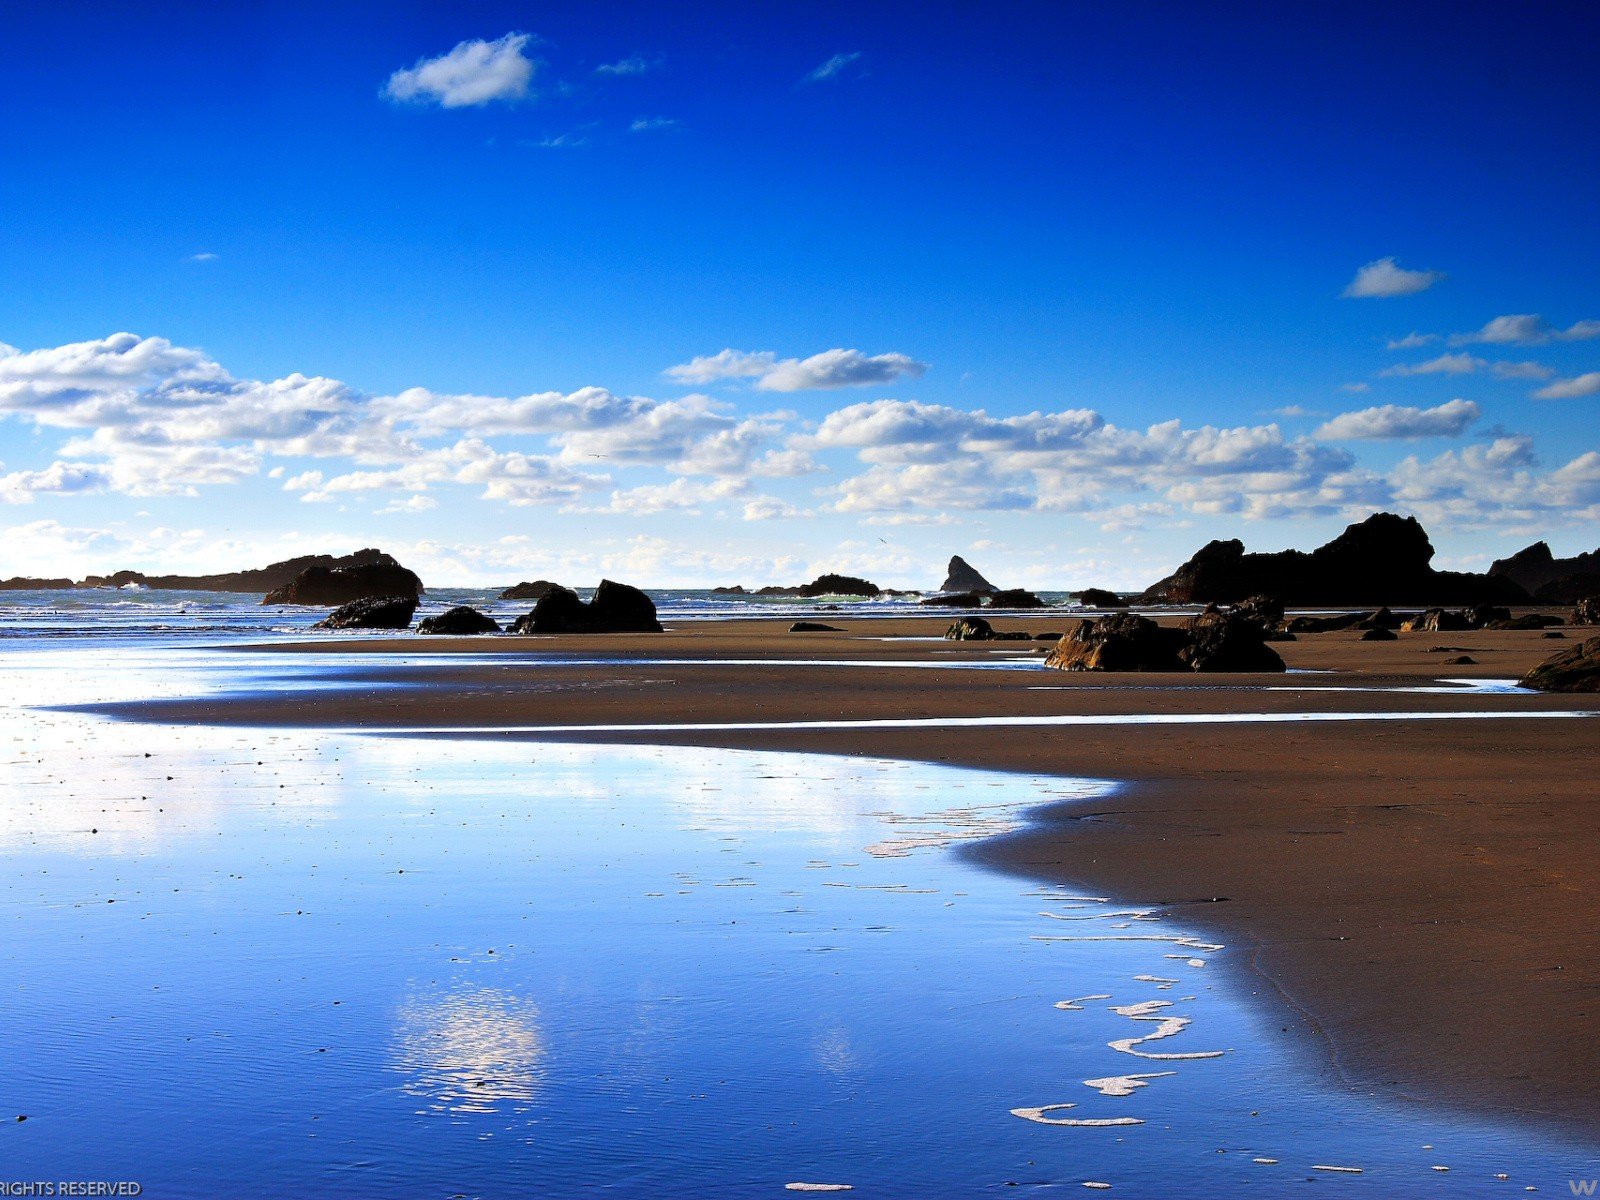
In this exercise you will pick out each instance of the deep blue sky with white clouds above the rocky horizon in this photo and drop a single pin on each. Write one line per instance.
(1060, 287)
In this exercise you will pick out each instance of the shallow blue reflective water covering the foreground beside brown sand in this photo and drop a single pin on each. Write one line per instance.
(290, 962)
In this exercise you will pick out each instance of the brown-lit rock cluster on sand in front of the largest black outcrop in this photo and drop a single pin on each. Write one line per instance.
(1214, 641)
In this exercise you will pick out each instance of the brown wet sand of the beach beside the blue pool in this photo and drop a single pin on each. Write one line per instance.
(1420, 894)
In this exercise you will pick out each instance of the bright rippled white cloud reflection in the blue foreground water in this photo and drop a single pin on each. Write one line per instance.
(470, 1052)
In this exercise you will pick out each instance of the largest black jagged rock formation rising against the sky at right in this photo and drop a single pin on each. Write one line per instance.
(1385, 559)
